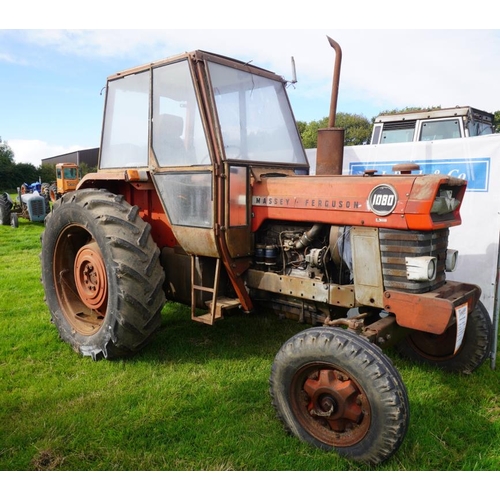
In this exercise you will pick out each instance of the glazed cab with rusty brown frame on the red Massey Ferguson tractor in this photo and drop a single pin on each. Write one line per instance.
(201, 128)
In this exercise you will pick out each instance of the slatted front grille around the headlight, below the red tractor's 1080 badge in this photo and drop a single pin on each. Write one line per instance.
(396, 245)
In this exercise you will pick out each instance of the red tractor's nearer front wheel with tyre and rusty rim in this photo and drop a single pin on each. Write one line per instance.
(335, 390)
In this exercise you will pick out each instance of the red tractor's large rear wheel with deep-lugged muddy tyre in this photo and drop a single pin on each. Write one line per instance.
(101, 274)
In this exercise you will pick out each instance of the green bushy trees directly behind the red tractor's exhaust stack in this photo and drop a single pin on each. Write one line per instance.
(357, 128)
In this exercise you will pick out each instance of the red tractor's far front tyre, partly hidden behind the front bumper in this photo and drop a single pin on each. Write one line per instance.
(439, 350)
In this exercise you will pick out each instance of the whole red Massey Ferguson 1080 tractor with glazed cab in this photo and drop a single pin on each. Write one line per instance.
(202, 197)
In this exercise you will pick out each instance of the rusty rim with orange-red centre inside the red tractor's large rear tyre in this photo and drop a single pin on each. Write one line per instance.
(80, 279)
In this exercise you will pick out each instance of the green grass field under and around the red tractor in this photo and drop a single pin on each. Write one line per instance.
(197, 397)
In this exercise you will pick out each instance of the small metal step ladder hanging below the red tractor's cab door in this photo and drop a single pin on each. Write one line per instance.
(217, 304)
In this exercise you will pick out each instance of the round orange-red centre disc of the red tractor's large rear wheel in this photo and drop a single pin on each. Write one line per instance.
(90, 276)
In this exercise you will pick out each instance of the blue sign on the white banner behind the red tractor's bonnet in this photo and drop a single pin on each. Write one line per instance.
(476, 171)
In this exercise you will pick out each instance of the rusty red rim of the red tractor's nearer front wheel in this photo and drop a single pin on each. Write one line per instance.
(330, 405)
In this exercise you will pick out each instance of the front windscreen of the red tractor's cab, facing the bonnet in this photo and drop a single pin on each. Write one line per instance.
(255, 117)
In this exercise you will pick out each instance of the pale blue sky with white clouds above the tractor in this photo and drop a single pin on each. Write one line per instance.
(52, 78)
